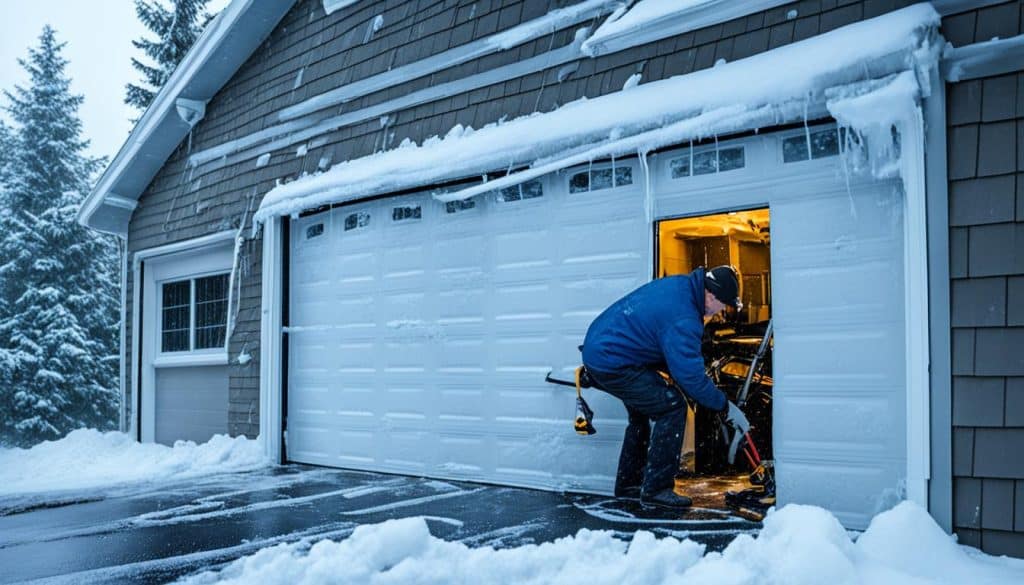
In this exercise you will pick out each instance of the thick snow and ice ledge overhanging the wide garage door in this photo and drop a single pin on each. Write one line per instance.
(770, 89)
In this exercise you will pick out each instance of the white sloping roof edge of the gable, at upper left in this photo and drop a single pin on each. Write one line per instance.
(218, 55)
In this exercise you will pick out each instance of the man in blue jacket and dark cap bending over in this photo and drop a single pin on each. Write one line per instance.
(657, 327)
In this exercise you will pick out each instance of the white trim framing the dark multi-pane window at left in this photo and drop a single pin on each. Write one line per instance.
(202, 257)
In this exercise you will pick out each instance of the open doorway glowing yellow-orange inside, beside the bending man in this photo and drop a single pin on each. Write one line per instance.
(738, 349)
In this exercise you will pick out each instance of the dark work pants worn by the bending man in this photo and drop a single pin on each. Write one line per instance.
(651, 457)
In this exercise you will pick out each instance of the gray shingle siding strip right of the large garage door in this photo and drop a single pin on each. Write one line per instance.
(987, 239)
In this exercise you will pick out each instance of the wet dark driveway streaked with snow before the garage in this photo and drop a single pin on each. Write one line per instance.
(161, 532)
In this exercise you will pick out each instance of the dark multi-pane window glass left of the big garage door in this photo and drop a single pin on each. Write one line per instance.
(194, 314)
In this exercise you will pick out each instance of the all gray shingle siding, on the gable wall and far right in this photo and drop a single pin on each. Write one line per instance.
(986, 150)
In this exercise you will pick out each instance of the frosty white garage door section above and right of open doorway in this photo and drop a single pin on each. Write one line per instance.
(838, 305)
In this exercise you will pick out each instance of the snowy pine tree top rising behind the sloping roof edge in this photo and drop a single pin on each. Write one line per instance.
(177, 30)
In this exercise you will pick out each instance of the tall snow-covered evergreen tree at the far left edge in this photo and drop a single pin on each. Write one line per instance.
(59, 296)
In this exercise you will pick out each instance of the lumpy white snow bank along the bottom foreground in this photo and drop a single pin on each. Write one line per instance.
(798, 546)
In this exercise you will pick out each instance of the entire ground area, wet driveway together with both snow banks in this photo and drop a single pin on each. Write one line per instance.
(133, 514)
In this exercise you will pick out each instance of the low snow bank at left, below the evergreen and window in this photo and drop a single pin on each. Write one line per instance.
(90, 459)
